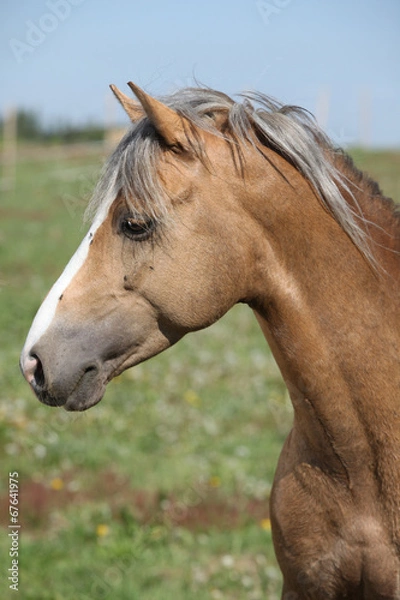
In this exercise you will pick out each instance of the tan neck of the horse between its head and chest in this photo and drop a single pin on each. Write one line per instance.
(332, 323)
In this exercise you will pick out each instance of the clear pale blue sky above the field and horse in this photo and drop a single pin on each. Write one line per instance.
(340, 59)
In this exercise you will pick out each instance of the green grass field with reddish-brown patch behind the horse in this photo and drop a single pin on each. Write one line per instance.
(161, 491)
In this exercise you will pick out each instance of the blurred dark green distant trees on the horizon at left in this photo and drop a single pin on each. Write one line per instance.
(31, 128)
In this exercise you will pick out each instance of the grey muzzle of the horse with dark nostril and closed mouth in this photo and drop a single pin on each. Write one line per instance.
(71, 363)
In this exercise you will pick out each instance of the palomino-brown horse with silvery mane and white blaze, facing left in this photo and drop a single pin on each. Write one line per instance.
(208, 202)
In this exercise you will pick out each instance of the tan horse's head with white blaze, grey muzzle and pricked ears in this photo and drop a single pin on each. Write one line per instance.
(168, 252)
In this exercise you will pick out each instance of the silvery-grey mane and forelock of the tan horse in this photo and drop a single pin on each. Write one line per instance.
(288, 130)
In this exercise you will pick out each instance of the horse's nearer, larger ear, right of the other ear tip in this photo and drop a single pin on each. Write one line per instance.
(167, 122)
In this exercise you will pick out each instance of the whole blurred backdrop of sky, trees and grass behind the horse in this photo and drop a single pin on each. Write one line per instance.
(162, 490)
